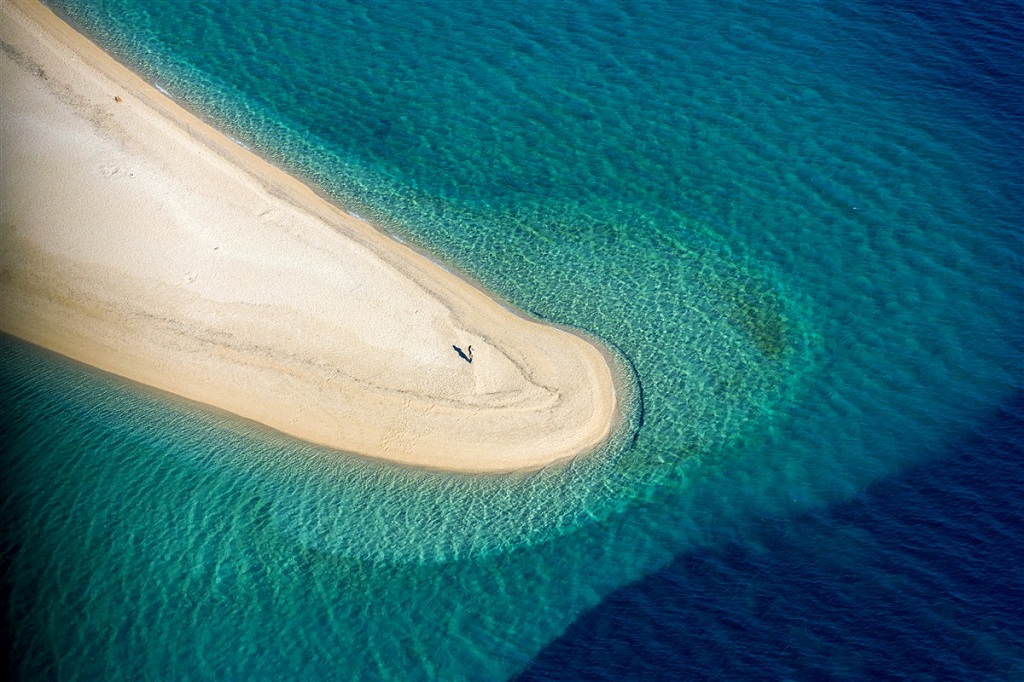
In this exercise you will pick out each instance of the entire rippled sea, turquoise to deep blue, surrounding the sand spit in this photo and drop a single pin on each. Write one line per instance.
(799, 225)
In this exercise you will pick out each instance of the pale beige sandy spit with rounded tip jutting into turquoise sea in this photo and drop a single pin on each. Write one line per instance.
(139, 240)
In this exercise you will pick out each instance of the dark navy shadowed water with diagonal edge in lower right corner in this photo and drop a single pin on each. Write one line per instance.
(918, 577)
